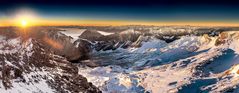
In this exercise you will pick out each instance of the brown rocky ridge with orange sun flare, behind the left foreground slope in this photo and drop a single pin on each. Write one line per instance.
(60, 44)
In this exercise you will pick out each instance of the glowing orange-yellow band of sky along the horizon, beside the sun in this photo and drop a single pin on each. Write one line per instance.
(59, 22)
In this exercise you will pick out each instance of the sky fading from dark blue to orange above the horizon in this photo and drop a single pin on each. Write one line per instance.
(123, 12)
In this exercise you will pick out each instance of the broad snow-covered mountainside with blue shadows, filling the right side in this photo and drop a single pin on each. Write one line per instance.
(188, 65)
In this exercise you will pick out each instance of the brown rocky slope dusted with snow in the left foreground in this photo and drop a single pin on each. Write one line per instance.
(31, 66)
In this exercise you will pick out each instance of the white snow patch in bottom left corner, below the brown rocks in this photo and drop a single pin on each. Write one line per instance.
(30, 86)
